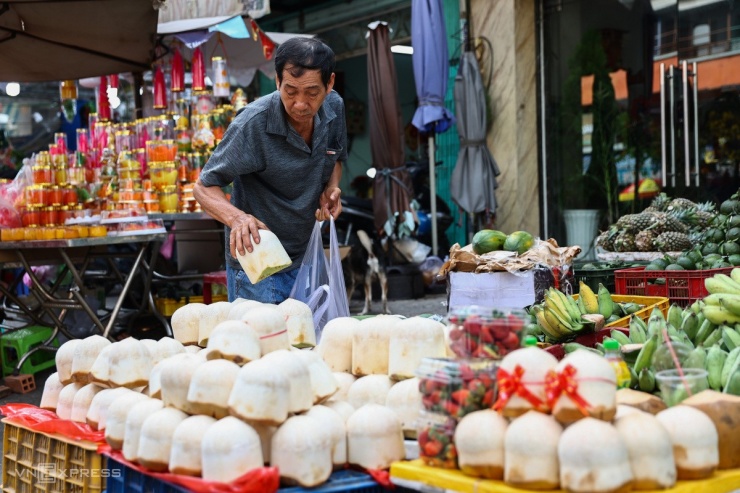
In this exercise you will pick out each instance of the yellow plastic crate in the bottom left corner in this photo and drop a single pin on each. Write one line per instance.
(40, 462)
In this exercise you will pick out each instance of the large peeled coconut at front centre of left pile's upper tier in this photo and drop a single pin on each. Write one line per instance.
(260, 394)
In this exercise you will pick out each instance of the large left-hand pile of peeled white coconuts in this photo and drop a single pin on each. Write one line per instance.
(242, 385)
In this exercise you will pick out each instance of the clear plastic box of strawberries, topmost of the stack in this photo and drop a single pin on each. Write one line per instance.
(480, 332)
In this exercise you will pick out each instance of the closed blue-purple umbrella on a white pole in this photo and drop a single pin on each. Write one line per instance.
(431, 67)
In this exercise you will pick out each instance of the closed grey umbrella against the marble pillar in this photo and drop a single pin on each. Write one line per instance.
(473, 182)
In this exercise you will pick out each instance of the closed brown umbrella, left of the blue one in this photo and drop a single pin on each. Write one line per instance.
(392, 188)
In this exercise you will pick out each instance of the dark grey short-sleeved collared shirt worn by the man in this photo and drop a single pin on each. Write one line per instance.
(276, 176)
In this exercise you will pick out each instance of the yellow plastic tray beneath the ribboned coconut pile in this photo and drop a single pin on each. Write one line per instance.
(453, 480)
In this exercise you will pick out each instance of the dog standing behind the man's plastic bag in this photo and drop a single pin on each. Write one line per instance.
(364, 262)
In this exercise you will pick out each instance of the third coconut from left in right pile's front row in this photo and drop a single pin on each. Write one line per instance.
(593, 458)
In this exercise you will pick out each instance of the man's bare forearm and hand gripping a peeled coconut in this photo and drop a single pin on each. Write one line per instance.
(213, 201)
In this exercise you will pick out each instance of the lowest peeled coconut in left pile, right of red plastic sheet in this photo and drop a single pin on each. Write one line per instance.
(302, 451)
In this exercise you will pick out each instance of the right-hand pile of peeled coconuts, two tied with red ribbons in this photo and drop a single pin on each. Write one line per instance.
(596, 439)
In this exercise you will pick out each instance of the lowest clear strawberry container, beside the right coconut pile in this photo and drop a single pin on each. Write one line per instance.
(436, 437)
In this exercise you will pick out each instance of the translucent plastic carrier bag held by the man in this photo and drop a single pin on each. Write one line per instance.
(320, 283)
